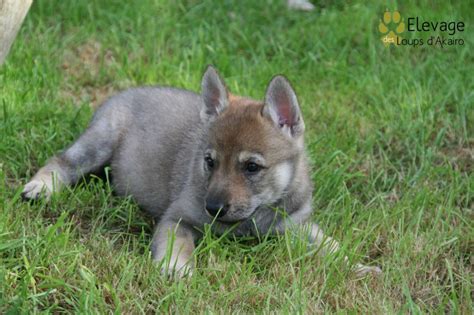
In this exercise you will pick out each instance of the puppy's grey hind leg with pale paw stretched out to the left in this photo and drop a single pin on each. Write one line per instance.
(88, 154)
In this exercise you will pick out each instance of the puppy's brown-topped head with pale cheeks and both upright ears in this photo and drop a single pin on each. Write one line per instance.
(253, 147)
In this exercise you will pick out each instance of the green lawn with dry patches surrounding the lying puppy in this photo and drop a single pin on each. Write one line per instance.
(389, 134)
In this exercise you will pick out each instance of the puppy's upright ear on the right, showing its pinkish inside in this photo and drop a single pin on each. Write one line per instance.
(281, 106)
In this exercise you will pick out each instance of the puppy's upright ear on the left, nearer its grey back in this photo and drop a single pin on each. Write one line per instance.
(214, 93)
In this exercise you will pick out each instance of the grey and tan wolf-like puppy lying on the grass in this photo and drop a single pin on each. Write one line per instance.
(191, 160)
